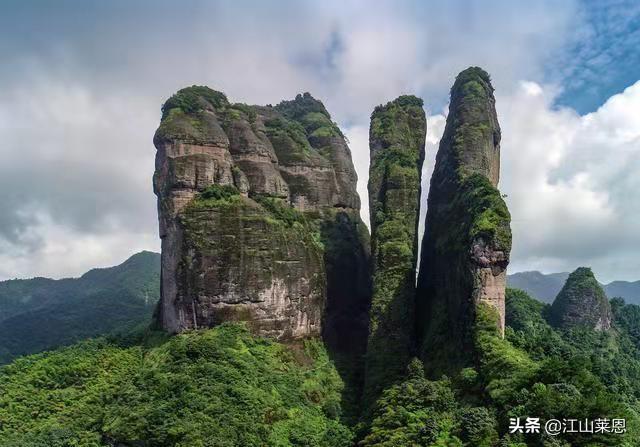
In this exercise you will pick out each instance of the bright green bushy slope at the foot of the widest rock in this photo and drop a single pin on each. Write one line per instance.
(220, 387)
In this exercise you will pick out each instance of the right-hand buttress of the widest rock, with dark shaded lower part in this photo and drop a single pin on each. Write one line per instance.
(324, 187)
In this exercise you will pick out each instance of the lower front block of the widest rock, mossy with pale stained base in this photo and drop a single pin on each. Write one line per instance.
(243, 260)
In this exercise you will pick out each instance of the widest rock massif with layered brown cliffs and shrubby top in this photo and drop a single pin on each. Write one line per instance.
(248, 200)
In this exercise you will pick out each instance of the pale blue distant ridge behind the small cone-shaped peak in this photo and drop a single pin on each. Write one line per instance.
(545, 287)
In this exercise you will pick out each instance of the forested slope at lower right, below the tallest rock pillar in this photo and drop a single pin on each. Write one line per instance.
(537, 371)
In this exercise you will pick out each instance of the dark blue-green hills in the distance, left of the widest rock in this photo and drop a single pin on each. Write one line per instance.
(41, 313)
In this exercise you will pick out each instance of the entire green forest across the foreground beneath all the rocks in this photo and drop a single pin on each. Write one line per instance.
(225, 387)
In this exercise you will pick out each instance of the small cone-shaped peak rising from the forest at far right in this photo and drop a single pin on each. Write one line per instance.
(582, 302)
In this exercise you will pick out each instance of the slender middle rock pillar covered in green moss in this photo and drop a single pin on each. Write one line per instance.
(397, 139)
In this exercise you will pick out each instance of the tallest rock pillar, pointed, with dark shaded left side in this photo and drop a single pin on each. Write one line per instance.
(465, 250)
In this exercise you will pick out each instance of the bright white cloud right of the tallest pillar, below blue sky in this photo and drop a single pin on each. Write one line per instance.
(571, 182)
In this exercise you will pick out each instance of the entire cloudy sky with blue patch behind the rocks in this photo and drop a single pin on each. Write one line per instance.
(82, 84)
